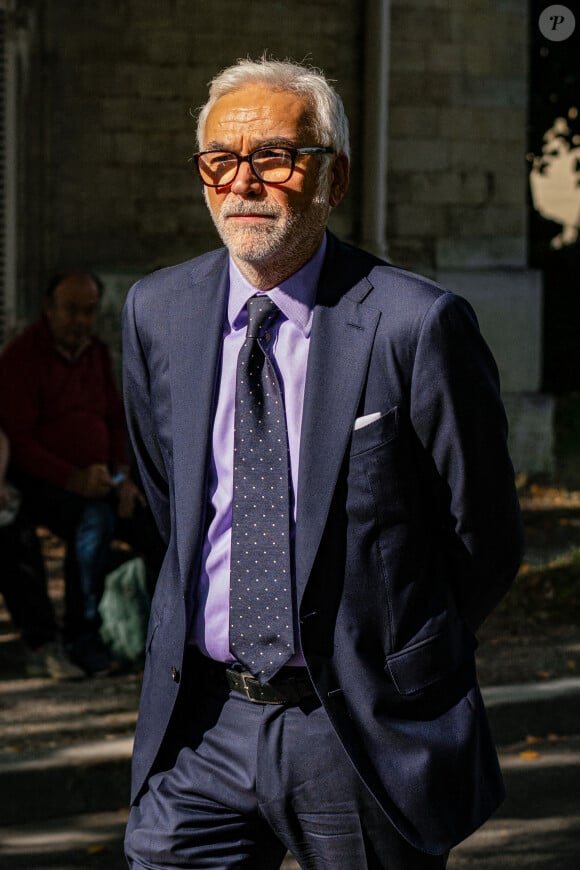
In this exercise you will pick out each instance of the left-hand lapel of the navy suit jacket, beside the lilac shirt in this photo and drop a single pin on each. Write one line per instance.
(196, 340)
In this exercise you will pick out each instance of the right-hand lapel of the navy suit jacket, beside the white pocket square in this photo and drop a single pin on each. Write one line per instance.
(343, 331)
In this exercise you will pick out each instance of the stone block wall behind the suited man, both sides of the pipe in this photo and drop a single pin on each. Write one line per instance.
(110, 86)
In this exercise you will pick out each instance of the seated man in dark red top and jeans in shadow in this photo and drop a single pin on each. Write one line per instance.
(63, 414)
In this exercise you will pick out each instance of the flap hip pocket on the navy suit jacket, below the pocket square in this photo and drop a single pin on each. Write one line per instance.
(421, 665)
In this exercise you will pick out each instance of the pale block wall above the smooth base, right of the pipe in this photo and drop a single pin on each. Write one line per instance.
(457, 143)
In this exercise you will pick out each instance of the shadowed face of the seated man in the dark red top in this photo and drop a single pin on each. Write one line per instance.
(72, 313)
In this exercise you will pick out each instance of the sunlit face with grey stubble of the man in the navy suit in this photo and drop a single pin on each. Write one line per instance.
(260, 223)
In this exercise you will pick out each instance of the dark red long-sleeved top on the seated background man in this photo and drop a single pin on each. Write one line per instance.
(59, 414)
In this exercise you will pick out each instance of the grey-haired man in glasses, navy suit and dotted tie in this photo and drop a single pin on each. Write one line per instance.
(323, 445)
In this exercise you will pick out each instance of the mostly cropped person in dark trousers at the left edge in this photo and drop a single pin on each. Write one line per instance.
(24, 587)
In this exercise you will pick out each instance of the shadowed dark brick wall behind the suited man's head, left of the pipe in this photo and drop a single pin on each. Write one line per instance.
(110, 91)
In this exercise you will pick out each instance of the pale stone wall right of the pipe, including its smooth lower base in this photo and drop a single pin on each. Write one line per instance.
(458, 185)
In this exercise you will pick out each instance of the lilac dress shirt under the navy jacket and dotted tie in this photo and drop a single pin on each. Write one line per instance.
(288, 349)
